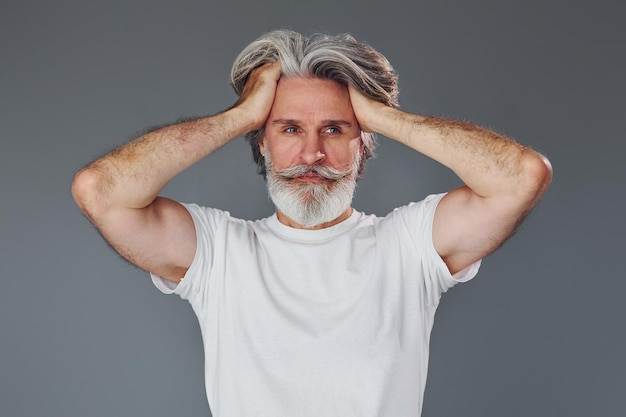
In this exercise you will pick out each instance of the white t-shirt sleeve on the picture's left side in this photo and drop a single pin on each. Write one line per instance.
(207, 222)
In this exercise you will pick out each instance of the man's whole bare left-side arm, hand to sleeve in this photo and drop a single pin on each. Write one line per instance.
(119, 192)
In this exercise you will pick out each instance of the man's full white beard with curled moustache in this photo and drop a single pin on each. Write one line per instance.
(311, 203)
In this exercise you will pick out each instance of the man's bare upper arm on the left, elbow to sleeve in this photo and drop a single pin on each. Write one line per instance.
(159, 238)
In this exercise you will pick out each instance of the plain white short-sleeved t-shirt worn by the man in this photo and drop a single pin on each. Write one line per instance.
(330, 322)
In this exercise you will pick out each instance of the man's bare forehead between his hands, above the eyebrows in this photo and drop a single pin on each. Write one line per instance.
(300, 98)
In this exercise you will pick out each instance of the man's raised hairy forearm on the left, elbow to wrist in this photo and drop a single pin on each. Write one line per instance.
(132, 175)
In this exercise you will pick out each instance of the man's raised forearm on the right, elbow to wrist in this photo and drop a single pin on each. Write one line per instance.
(488, 163)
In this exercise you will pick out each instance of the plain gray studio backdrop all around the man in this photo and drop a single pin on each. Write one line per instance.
(540, 332)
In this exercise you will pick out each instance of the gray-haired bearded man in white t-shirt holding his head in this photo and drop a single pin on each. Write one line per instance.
(319, 309)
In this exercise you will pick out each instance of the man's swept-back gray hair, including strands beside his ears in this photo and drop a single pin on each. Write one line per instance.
(340, 58)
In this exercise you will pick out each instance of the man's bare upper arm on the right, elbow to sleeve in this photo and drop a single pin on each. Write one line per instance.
(468, 227)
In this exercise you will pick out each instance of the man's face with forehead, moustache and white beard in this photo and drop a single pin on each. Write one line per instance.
(312, 147)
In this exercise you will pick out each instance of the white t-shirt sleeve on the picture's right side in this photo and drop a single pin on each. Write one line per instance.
(418, 219)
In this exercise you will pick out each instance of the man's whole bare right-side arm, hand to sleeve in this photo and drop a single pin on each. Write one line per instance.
(503, 179)
